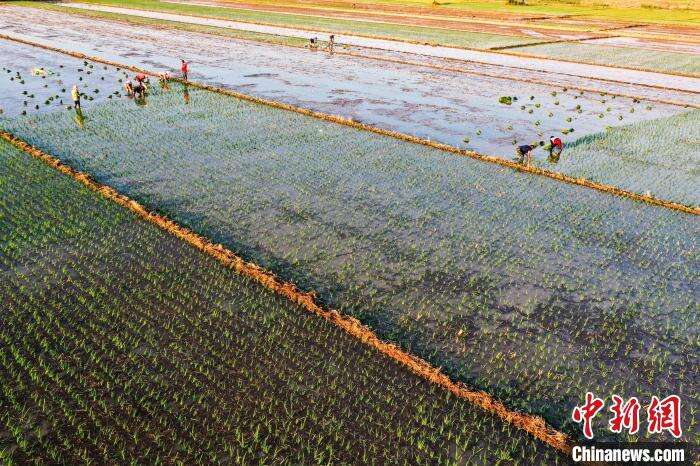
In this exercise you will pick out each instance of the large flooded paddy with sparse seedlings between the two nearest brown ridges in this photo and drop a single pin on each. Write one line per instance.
(531, 289)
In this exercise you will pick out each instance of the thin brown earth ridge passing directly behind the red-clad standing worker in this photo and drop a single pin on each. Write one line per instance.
(614, 190)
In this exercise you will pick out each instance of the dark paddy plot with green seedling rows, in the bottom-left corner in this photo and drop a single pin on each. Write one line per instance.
(150, 352)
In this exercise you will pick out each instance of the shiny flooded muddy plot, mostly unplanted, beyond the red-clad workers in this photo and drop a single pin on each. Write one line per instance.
(447, 106)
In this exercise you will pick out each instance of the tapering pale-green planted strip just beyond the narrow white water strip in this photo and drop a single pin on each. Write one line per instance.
(339, 26)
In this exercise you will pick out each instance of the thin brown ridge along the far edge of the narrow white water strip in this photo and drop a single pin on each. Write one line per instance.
(408, 41)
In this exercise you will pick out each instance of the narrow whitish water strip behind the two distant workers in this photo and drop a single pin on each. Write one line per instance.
(538, 64)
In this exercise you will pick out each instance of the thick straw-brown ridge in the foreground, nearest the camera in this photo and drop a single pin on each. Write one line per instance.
(534, 425)
